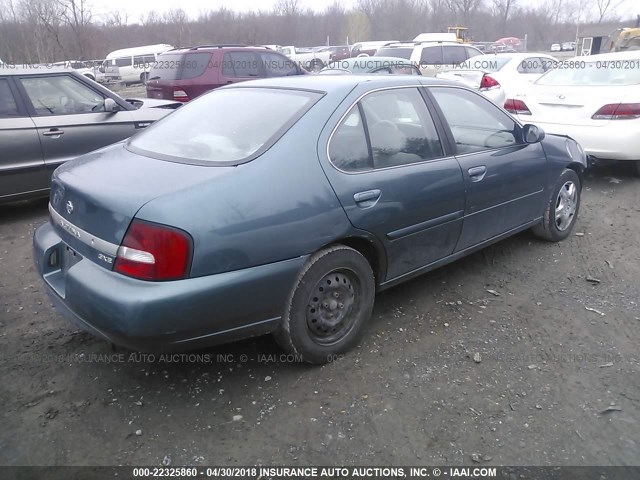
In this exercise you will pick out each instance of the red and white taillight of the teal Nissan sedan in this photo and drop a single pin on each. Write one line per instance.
(154, 252)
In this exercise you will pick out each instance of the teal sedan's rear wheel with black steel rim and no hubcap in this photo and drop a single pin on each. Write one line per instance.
(329, 305)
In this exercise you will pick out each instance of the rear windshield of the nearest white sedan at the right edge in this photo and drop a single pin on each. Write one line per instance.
(603, 72)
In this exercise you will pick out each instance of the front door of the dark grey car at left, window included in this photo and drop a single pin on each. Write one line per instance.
(71, 119)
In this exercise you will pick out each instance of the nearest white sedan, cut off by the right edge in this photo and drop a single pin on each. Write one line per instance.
(595, 100)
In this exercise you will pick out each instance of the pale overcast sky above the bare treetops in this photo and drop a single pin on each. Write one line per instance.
(135, 9)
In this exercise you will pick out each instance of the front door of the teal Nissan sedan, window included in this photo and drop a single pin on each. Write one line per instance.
(504, 176)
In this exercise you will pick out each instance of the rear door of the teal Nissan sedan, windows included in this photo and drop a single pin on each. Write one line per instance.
(395, 178)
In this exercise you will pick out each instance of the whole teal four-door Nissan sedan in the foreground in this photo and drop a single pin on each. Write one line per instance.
(281, 206)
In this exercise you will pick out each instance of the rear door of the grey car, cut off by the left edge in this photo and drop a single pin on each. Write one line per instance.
(21, 164)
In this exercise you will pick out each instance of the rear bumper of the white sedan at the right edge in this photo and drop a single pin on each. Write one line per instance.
(616, 141)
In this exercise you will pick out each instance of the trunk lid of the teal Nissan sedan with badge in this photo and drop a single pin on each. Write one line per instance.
(95, 197)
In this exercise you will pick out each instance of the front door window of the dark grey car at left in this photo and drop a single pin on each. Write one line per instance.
(61, 95)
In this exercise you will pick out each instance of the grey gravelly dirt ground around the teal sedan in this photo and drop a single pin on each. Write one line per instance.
(448, 372)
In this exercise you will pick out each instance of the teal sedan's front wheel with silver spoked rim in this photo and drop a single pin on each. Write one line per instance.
(562, 208)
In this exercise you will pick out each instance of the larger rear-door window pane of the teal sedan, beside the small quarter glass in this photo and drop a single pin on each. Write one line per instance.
(401, 130)
